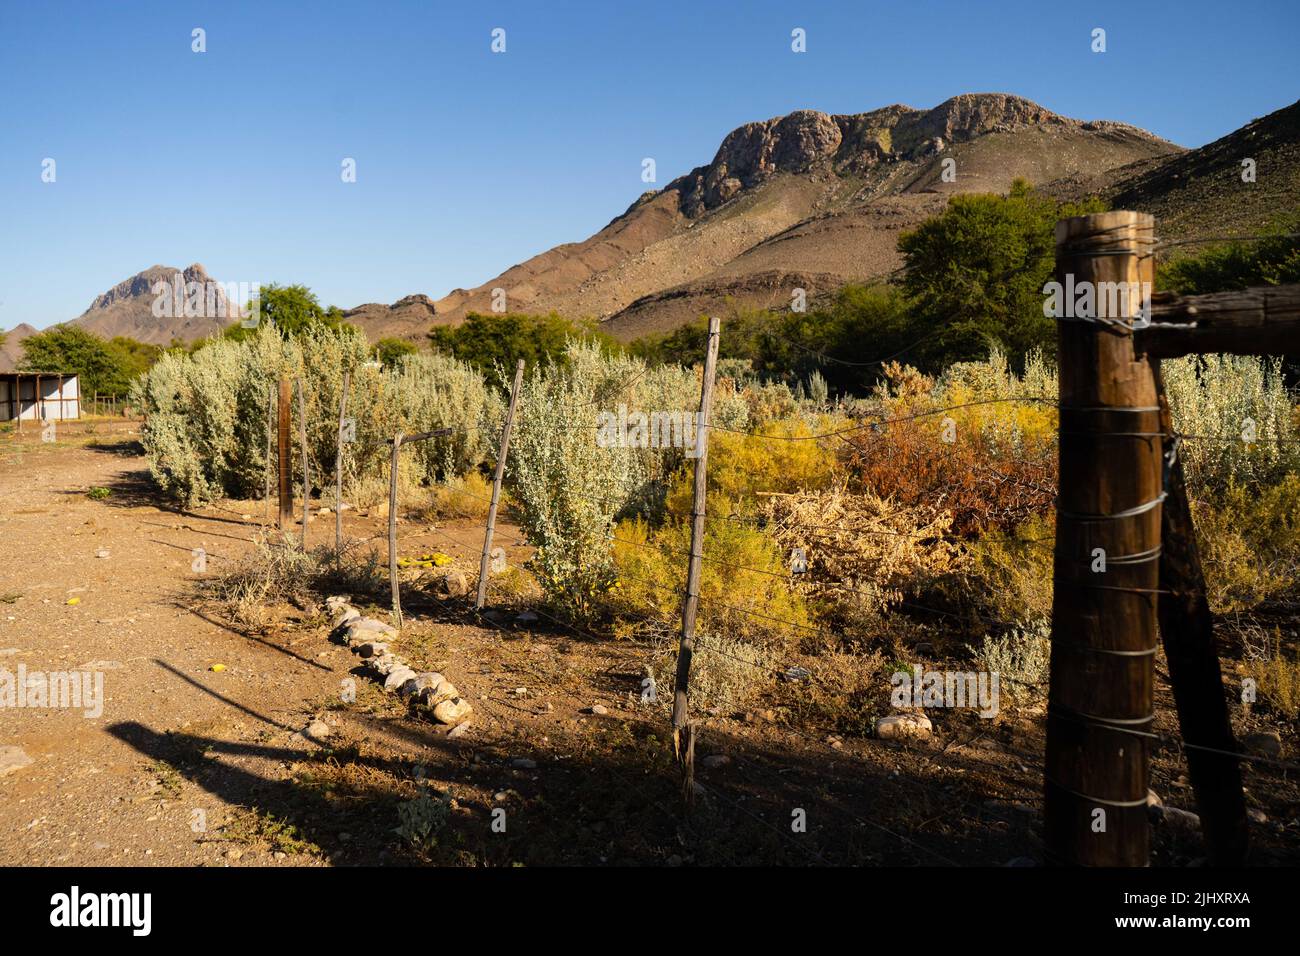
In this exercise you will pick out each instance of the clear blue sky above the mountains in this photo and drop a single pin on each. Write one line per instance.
(471, 162)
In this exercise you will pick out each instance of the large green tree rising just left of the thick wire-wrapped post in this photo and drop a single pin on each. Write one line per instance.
(976, 274)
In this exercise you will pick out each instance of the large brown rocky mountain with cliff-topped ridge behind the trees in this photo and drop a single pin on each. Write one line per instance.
(805, 201)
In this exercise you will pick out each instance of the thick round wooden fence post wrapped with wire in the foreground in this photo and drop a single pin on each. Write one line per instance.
(1107, 552)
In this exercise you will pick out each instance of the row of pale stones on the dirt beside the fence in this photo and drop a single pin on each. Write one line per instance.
(428, 690)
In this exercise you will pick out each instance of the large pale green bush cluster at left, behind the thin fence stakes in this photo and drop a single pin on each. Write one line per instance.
(206, 436)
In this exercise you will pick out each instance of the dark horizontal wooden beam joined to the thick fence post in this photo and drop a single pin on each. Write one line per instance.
(1251, 322)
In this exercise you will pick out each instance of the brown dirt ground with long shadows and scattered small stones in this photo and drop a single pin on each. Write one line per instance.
(201, 755)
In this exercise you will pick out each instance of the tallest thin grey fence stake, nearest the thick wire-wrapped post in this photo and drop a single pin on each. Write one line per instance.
(683, 732)
